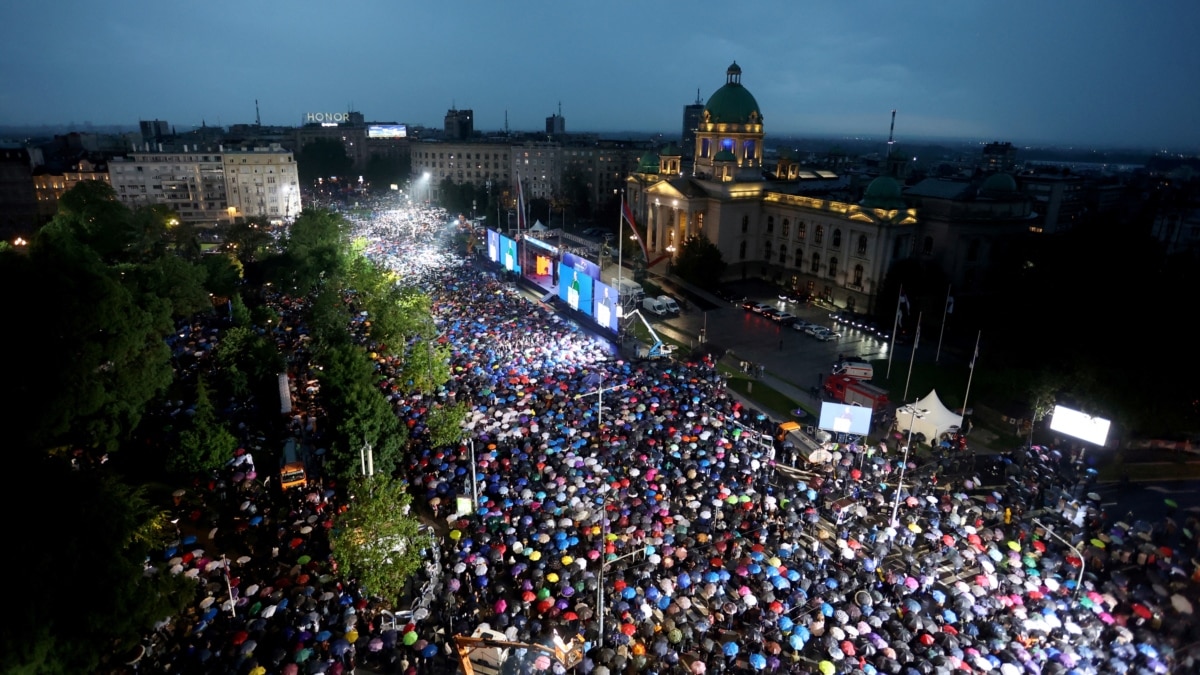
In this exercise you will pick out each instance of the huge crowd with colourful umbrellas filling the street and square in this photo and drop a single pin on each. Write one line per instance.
(640, 505)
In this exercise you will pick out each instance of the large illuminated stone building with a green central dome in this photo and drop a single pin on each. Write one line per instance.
(778, 224)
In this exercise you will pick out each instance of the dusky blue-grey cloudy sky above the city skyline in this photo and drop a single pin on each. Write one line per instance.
(1095, 73)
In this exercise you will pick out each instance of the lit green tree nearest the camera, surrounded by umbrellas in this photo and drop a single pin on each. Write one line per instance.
(376, 541)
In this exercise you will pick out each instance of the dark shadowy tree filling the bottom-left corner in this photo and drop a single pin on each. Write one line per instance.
(105, 531)
